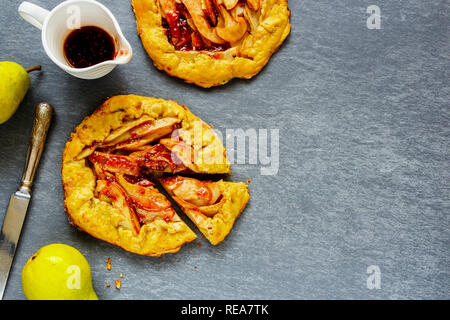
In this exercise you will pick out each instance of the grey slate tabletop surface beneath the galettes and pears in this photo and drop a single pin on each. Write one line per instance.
(364, 159)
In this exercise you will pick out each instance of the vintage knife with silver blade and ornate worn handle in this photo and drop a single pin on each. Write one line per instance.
(18, 204)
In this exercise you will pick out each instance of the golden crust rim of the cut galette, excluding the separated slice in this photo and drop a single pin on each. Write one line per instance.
(102, 219)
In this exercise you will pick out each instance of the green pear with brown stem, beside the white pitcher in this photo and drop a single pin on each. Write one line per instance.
(14, 84)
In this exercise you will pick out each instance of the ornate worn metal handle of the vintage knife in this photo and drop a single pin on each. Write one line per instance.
(42, 120)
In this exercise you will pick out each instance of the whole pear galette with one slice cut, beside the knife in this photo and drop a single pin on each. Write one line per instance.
(107, 171)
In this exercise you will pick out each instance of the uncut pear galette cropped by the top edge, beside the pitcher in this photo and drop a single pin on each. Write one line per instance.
(209, 42)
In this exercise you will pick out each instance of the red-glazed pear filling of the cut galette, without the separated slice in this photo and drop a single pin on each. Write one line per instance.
(121, 167)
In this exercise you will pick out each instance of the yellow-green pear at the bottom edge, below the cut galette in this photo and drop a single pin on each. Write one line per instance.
(57, 272)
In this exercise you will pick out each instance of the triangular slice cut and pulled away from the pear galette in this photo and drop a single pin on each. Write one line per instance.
(212, 206)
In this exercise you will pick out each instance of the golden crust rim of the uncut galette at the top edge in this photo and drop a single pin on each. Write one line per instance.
(268, 27)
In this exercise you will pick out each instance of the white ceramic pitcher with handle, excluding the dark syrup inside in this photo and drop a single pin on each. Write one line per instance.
(57, 24)
